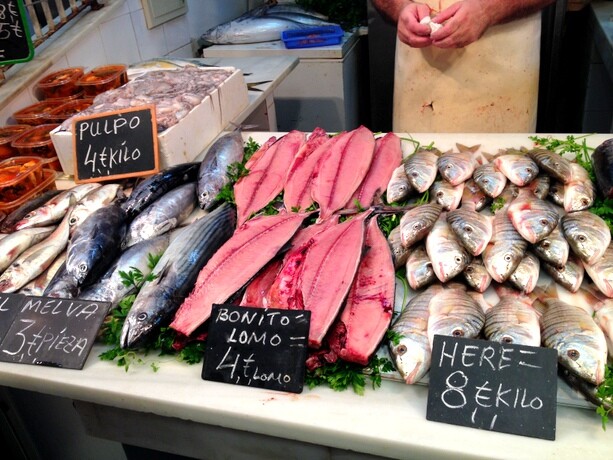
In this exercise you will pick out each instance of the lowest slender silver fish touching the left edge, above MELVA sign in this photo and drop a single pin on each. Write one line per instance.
(35, 260)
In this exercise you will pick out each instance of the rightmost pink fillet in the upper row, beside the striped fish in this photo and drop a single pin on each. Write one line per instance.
(386, 158)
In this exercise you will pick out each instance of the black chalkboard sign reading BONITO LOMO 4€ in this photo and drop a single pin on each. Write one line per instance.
(257, 347)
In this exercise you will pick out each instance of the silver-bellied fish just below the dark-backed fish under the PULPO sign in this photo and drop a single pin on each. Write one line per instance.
(162, 215)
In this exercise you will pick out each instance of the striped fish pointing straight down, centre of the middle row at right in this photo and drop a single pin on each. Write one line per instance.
(505, 250)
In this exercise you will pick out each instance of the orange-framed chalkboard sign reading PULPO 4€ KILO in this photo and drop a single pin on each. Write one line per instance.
(114, 145)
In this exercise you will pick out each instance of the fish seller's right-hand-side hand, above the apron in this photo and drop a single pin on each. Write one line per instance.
(463, 23)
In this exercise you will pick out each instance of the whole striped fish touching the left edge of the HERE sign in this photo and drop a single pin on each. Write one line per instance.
(411, 351)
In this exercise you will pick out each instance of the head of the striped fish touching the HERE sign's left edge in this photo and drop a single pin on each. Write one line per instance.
(411, 355)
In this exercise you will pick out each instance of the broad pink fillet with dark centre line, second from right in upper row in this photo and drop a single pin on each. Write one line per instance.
(342, 169)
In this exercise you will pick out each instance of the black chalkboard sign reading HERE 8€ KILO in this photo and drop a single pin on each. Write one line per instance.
(487, 385)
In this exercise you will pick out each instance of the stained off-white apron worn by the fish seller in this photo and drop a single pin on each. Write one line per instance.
(490, 85)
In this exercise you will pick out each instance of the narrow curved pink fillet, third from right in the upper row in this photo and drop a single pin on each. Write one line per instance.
(299, 179)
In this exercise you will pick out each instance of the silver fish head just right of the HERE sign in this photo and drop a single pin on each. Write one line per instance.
(585, 355)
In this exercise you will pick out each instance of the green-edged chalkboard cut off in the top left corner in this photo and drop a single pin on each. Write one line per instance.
(15, 37)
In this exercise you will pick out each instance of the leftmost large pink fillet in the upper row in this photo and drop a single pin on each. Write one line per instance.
(267, 177)
